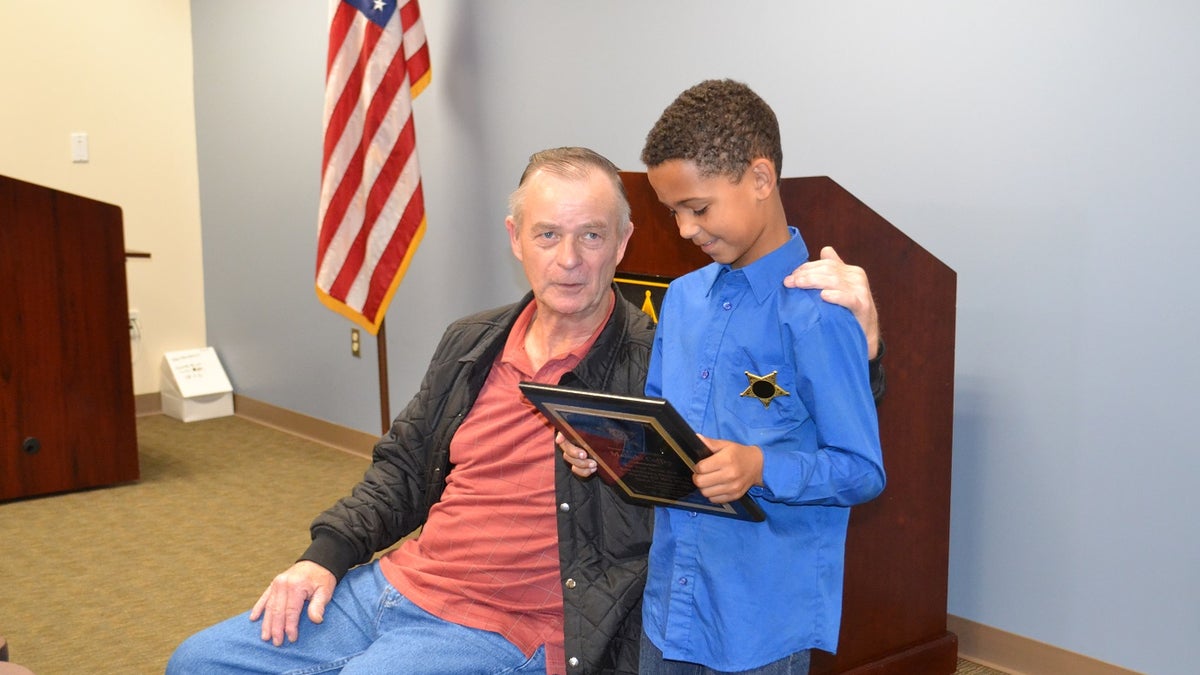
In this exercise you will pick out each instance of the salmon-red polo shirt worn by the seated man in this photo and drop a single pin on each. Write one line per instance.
(488, 557)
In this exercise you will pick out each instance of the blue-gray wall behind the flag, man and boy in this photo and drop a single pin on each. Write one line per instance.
(1048, 152)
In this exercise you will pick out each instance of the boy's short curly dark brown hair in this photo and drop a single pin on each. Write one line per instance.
(722, 126)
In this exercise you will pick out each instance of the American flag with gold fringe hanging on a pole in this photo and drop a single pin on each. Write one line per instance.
(373, 210)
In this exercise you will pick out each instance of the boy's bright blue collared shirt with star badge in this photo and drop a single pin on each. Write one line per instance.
(737, 595)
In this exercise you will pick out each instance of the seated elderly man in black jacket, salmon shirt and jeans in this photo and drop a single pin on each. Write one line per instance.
(519, 568)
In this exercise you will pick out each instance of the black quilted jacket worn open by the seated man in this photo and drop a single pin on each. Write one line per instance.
(603, 540)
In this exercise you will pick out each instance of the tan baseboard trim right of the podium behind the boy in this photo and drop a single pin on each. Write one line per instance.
(1022, 656)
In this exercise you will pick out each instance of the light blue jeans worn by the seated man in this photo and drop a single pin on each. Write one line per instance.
(369, 629)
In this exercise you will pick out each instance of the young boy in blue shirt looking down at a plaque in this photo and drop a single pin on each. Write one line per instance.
(776, 381)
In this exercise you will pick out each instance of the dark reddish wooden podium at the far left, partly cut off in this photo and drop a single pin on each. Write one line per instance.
(67, 408)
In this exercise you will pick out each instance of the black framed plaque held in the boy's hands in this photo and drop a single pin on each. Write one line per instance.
(644, 447)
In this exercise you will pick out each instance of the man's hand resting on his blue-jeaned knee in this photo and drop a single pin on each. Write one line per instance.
(281, 604)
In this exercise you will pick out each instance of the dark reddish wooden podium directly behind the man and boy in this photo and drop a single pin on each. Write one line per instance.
(898, 546)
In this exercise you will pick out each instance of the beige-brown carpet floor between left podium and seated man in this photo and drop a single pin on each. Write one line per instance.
(110, 581)
